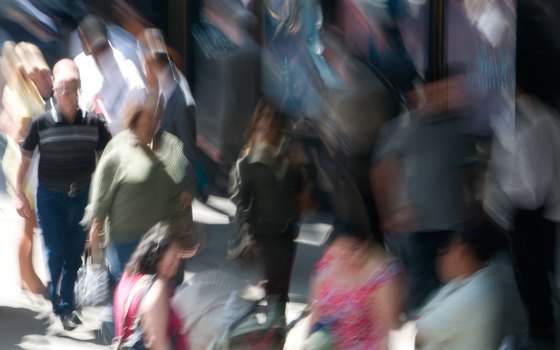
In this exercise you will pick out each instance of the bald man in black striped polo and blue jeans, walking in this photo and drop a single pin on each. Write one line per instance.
(69, 142)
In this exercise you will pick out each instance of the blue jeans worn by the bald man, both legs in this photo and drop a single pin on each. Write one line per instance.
(59, 218)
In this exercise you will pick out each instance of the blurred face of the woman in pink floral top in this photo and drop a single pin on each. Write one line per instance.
(349, 253)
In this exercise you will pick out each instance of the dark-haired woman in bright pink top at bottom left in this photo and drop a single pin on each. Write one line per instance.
(144, 294)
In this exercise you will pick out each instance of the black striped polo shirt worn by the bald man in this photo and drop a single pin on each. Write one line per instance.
(68, 151)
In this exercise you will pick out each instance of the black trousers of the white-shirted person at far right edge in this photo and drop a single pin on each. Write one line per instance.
(531, 246)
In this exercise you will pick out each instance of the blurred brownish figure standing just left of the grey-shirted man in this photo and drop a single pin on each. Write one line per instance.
(355, 111)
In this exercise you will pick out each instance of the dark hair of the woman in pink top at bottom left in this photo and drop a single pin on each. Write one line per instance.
(151, 249)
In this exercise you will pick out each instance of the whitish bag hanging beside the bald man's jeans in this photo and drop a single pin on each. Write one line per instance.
(92, 283)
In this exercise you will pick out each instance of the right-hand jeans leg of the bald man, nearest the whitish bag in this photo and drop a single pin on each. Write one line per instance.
(75, 240)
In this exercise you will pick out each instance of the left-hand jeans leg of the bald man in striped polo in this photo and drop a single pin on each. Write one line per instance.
(52, 216)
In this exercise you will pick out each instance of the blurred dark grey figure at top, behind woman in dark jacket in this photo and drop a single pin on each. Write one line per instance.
(227, 83)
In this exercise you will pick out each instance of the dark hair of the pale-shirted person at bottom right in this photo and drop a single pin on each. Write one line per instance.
(482, 238)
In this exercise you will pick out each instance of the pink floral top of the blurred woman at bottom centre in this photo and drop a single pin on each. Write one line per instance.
(347, 314)
